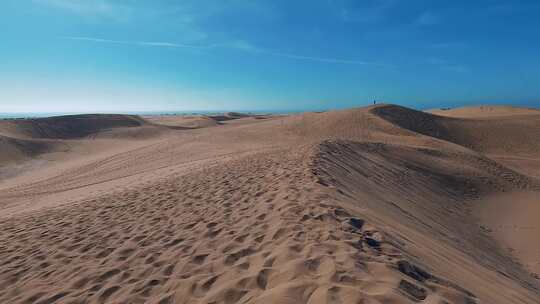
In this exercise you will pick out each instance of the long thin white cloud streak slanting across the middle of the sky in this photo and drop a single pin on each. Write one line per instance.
(236, 45)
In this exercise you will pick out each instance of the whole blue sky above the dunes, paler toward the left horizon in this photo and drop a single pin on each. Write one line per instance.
(128, 55)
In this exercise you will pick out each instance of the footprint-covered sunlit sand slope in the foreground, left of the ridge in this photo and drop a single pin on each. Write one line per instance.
(273, 236)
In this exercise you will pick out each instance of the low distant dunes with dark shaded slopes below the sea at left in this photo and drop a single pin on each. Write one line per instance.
(21, 139)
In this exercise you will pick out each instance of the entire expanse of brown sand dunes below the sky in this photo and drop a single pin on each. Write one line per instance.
(374, 205)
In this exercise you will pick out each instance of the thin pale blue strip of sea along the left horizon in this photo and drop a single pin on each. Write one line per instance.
(49, 114)
